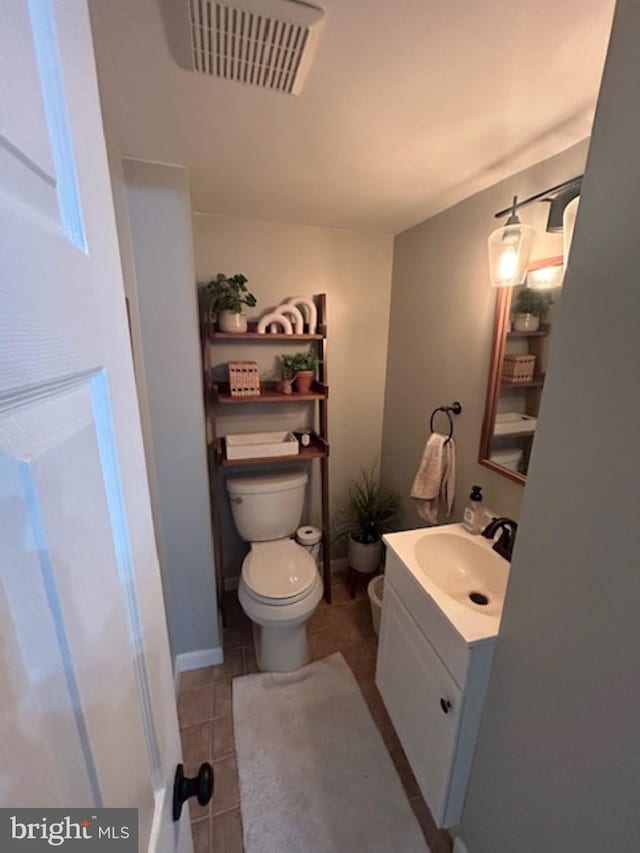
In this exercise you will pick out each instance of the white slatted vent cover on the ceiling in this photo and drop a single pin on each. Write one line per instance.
(268, 44)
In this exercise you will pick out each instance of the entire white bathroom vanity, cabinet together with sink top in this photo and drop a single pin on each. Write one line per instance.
(443, 596)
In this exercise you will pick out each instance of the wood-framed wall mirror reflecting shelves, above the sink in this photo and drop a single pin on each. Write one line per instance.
(523, 327)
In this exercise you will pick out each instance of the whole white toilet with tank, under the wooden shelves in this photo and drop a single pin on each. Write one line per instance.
(280, 586)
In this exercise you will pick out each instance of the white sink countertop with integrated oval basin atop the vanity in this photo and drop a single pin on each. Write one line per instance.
(460, 572)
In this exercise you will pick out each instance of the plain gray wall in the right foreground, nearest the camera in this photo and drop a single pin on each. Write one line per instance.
(557, 767)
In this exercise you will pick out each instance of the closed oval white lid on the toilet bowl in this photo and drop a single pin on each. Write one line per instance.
(278, 570)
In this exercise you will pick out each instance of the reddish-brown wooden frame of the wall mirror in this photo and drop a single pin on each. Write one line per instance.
(503, 310)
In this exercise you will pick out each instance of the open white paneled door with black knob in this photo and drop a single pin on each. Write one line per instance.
(87, 706)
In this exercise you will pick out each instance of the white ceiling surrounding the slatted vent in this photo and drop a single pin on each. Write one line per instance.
(410, 106)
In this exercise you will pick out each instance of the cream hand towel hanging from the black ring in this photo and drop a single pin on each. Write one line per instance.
(435, 482)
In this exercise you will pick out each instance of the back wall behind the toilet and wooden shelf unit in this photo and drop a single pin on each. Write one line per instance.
(354, 270)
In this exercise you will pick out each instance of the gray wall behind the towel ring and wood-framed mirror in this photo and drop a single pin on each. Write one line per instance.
(441, 330)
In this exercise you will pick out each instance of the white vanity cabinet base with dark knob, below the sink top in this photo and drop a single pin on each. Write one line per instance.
(433, 684)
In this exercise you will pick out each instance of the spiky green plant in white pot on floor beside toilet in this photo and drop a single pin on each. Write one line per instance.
(367, 512)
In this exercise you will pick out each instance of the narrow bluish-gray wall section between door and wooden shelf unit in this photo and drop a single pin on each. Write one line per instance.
(168, 372)
